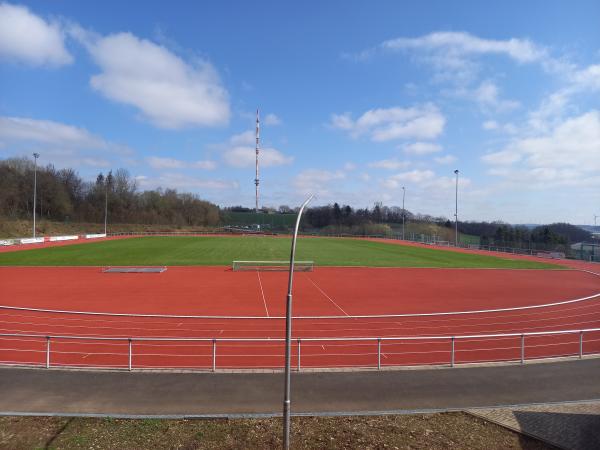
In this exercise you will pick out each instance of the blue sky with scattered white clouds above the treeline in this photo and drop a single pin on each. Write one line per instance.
(357, 100)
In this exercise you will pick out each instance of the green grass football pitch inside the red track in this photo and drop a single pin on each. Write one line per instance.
(173, 251)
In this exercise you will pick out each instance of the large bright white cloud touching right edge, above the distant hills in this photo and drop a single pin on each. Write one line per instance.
(567, 154)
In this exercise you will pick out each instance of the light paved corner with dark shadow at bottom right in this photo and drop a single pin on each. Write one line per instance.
(573, 426)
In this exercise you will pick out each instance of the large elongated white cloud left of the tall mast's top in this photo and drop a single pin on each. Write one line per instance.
(168, 91)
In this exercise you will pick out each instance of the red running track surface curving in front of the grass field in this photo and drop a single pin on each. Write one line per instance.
(251, 304)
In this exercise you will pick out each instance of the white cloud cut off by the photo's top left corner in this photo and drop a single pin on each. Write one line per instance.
(27, 38)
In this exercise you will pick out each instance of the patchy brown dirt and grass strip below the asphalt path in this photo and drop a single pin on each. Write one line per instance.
(433, 431)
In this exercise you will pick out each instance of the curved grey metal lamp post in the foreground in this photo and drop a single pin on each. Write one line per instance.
(288, 334)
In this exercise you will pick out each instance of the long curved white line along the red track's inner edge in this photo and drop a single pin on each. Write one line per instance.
(364, 316)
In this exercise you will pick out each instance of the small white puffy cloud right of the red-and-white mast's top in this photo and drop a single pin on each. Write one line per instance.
(386, 124)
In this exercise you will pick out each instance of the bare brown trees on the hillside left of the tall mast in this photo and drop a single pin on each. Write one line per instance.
(62, 195)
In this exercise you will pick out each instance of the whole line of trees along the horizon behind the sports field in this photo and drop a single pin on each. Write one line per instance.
(63, 196)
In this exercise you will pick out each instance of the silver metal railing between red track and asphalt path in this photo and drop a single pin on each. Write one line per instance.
(378, 341)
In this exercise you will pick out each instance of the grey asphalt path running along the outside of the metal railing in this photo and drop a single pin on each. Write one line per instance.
(40, 391)
